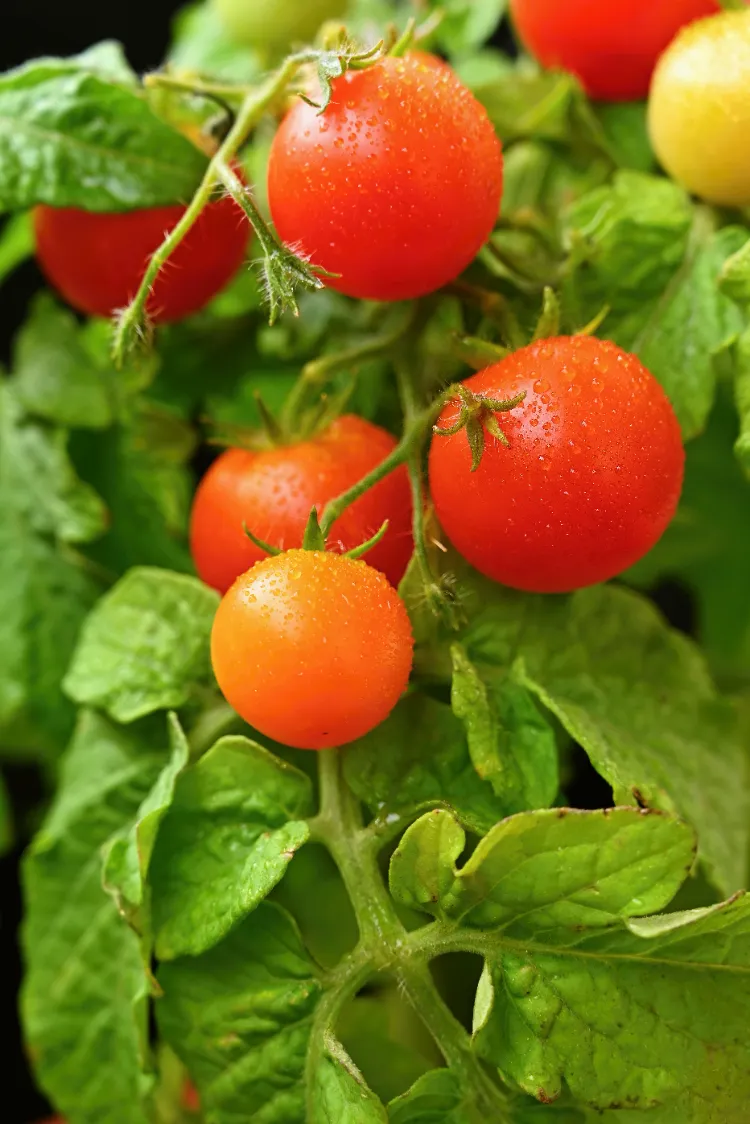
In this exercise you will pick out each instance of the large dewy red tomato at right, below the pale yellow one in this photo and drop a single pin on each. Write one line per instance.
(590, 482)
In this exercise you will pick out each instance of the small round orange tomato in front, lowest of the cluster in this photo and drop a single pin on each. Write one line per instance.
(312, 649)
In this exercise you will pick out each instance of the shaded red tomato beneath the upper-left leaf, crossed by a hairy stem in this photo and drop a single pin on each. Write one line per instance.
(97, 261)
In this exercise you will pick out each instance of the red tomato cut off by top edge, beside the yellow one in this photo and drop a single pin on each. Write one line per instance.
(611, 47)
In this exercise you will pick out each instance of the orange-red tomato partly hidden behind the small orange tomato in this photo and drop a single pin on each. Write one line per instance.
(274, 492)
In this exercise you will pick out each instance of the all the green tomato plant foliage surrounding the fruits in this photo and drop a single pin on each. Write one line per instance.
(202, 903)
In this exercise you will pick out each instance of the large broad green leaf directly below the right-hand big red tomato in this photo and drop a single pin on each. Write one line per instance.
(632, 692)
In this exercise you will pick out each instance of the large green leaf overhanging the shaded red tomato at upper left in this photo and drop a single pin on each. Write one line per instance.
(74, 135)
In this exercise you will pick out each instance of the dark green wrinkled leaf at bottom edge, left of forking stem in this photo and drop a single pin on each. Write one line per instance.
(240, 1018)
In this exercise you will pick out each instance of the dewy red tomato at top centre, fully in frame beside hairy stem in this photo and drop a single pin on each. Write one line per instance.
(395, 186)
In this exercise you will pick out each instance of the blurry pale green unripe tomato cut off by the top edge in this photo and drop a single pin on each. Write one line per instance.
(274, 25)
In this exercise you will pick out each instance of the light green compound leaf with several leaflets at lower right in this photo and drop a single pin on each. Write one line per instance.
(556, 903)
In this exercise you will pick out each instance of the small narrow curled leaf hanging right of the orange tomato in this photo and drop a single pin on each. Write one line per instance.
(511, 744)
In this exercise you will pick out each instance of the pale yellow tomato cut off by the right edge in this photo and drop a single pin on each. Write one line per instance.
(700, 110)
